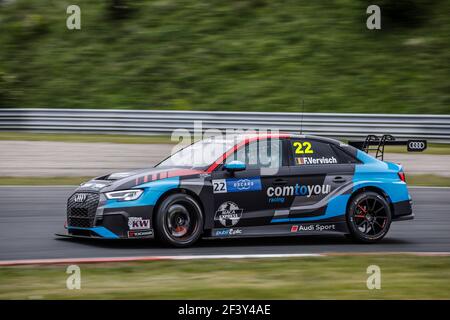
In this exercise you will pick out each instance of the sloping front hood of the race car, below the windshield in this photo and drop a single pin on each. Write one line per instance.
(130, 179)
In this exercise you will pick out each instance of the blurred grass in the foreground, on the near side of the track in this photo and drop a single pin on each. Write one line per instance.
(339, 277)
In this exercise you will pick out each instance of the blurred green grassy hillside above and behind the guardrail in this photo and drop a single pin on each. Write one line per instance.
(255, 55)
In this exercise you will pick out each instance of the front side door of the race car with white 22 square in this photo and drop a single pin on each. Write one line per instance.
(240, 198)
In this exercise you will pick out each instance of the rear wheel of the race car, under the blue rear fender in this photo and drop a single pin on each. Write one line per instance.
(368, 217)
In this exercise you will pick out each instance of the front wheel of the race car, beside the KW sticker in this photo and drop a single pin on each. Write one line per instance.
(179, 221)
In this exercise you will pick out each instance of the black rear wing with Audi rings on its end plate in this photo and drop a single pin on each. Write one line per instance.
(386, 140)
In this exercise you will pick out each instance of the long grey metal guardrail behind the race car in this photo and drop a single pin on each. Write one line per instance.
(432, 127)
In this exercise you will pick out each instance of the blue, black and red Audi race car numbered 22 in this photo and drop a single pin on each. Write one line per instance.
(254, 185)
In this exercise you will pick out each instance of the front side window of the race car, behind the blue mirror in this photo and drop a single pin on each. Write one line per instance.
(259, 154)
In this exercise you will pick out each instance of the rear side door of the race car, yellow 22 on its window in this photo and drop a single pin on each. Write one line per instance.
(319, 172)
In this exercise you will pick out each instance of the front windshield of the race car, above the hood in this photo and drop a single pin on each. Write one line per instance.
(200, 154)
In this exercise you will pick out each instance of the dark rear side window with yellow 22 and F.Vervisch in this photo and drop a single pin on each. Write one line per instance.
(312, 152)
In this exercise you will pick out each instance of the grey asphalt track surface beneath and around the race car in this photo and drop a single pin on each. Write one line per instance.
(30, 216)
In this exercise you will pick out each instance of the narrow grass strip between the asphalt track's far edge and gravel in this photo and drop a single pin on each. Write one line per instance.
(412, 180)
